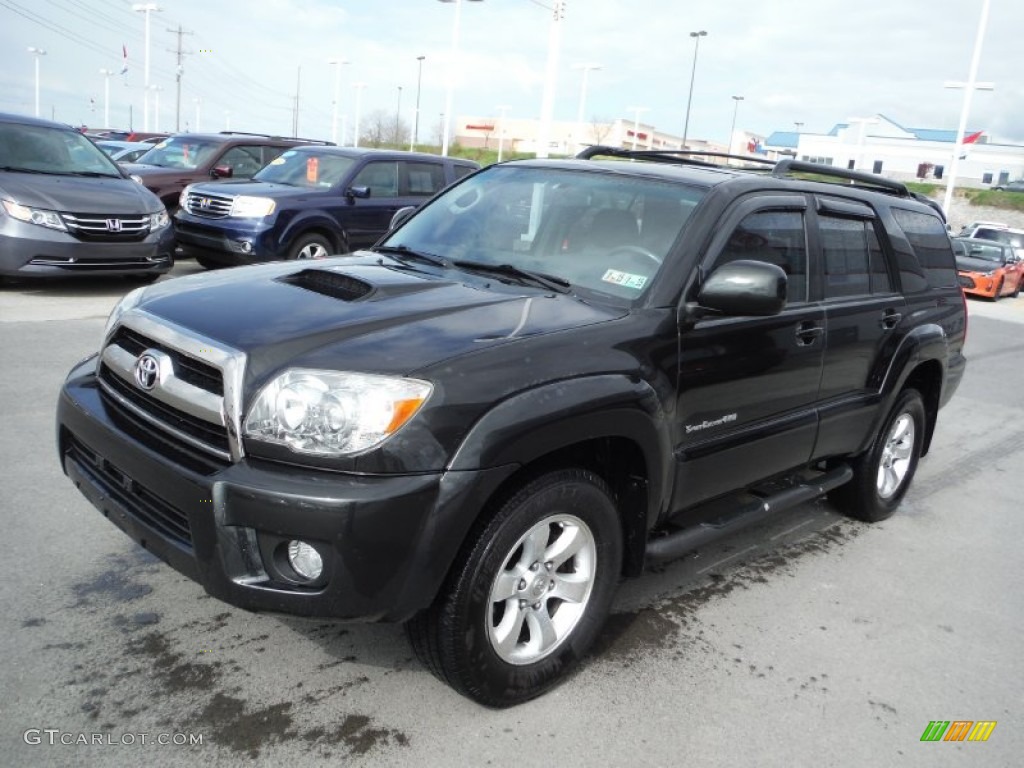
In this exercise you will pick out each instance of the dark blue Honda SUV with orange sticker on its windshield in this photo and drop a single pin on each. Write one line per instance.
(309, 203)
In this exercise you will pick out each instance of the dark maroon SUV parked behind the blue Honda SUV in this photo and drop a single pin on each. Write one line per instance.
(185, 158)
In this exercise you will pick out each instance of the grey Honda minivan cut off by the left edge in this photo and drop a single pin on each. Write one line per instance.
(66, 208)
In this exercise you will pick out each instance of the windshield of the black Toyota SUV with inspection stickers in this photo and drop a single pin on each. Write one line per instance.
(601, 232)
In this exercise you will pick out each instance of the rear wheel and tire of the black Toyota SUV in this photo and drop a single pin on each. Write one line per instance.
(882, 477)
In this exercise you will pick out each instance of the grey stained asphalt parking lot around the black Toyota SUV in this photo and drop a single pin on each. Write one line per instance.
(810, 641)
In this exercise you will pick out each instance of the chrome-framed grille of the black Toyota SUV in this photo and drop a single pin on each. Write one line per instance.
(187, 400)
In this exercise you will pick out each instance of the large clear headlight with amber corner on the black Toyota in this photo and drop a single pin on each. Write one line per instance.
(326, 413)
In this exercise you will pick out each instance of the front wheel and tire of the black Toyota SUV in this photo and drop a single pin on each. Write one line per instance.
(530, 594)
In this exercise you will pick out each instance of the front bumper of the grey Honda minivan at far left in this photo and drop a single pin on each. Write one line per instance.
(31, 251)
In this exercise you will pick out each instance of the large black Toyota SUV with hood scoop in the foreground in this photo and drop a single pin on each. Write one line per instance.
(554, 373)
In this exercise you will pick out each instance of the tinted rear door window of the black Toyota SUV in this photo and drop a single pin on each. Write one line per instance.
(855, 265)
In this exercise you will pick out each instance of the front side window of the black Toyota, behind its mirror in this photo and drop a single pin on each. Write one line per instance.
(776, 237)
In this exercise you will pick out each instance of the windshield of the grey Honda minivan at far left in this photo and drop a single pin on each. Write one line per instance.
(39, 149)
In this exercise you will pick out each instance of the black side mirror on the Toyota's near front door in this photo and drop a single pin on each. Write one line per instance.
(745, 287)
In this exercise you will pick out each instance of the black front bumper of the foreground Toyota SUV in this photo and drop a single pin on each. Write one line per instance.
(387, 541)
